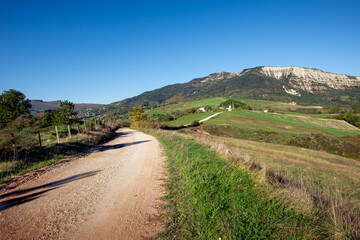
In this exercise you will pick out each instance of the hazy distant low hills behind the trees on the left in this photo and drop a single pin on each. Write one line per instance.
(84, 109)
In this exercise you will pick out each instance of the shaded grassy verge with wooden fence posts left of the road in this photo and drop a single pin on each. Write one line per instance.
(32, 156)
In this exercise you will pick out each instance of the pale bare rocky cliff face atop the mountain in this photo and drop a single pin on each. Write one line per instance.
(311, 80)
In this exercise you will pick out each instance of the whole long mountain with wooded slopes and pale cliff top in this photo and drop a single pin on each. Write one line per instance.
(287, 84)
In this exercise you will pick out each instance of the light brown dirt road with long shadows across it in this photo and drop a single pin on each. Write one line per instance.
(113, 193)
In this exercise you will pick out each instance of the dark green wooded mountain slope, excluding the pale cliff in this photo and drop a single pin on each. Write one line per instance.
(251, 85)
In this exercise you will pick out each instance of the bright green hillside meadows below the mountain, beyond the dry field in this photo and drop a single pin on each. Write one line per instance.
(290, 122)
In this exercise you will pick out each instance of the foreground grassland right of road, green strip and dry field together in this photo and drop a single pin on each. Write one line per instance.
(292, 193)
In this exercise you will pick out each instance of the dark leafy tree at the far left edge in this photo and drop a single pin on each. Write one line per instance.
(12, 105)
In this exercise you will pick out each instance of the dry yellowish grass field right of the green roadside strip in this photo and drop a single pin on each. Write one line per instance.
(302, 179)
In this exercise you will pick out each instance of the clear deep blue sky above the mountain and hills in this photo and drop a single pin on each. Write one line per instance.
(105, 51)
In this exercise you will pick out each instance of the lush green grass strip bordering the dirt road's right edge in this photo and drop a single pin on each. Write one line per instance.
(208, 198)
